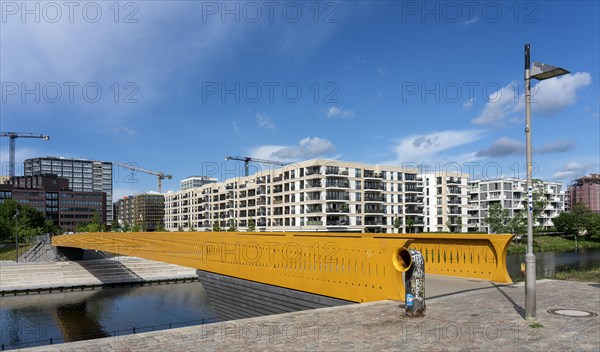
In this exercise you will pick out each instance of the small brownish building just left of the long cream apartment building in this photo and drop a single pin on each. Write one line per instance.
(146, 210)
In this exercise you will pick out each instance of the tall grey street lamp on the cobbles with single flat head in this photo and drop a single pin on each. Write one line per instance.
(540, 72)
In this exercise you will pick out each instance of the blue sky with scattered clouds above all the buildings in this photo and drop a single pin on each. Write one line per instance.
(176, 86)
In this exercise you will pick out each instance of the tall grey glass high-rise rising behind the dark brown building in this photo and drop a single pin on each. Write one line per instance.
(83, 175)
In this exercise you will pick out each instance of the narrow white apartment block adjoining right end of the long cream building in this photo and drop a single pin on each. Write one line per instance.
(446, 201)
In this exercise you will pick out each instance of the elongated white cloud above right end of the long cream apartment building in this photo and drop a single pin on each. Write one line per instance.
(423, 148)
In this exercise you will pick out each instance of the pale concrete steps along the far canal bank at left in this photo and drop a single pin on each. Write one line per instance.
(17, 277)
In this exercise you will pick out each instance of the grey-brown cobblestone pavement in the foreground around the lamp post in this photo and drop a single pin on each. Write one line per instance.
(488, 319)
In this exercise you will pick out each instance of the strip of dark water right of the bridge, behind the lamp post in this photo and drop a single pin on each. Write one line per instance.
(548, 263)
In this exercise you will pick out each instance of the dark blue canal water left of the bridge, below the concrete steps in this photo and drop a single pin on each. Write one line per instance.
(43, 319)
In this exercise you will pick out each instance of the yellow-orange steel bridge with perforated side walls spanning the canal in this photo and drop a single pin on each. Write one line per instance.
(353, 267)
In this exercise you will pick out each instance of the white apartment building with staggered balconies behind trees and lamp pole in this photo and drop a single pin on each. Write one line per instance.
(511, 193)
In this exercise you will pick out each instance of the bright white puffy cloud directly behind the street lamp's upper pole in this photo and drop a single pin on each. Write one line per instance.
(547, 98)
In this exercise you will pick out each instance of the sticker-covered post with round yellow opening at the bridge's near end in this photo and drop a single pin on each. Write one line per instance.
(410, 261)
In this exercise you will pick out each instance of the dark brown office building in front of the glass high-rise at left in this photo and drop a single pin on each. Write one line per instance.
(53, 196)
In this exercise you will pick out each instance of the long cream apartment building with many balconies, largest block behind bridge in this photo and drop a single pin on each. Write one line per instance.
(312, 195)
